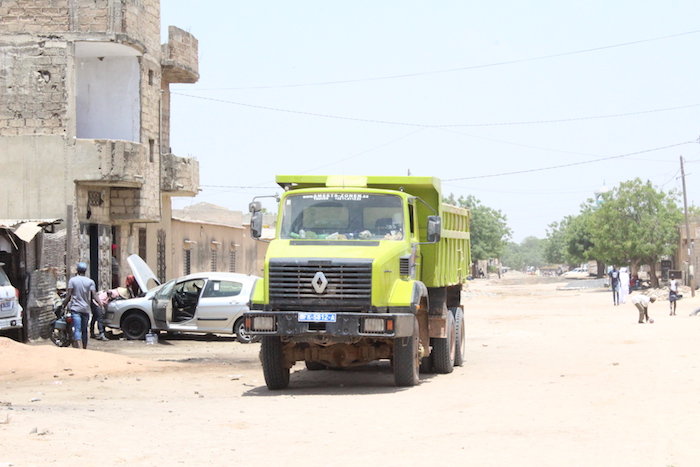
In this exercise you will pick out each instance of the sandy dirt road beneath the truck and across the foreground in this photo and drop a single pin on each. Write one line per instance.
(552, 378)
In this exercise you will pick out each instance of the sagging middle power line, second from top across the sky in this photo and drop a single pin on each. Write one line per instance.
(424, 125)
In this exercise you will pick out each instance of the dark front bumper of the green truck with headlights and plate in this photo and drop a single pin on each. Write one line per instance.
(299, 323)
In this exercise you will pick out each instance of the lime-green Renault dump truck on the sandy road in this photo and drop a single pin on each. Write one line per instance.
(361, 268)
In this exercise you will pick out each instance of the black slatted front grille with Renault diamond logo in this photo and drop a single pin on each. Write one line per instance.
(319, 285)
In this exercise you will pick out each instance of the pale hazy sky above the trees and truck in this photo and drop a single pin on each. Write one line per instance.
(529, 106)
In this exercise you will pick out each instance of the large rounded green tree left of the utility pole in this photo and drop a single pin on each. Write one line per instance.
(636, 223)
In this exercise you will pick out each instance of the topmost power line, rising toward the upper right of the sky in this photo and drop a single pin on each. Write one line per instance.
(452, 70)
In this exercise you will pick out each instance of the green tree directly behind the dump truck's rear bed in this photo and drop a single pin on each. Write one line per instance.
(489, 232)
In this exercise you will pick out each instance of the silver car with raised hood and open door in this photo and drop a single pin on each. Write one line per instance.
(207, 302)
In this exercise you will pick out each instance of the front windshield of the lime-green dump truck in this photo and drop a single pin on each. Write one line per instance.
(342, 216)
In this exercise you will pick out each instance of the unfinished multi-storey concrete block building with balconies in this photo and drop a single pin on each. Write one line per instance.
(84, 130)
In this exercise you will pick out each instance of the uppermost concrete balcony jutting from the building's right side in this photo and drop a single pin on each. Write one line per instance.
(180, 60)
